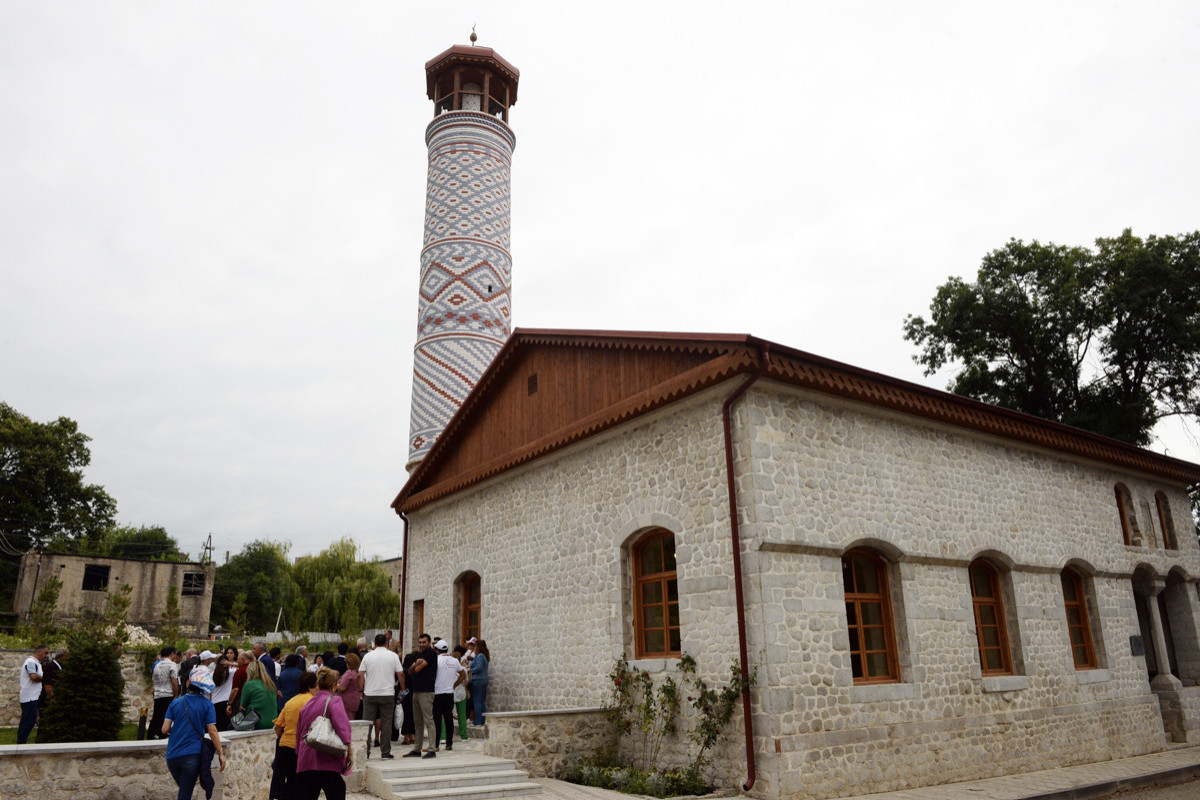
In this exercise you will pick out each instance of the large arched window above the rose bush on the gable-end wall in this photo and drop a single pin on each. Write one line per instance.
(656, 597)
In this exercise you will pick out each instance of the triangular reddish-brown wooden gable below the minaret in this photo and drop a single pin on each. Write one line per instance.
(547, 390)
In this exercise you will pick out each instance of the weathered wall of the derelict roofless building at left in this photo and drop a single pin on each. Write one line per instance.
(149, 580)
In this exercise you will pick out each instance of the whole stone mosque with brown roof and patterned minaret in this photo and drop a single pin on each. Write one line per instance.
(927, 588)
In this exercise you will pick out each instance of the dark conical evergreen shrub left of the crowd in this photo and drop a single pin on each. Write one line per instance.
(89, 695)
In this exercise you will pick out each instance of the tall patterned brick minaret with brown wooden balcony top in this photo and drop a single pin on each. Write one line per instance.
(464, 316)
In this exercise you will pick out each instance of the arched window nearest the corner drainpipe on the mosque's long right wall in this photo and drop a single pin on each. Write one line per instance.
(873, 651)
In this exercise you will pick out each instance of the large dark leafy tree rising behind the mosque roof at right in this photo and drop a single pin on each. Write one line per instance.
(1106, 340)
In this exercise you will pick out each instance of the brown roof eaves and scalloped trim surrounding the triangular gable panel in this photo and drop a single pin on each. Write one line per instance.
(724, 357)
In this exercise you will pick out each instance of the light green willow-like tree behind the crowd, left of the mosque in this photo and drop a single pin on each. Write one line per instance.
(339, 592)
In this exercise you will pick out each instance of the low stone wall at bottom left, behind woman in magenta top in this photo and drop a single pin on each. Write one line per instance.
(136, 771)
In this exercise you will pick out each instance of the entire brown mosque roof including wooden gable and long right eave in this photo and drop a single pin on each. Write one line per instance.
(549, 389)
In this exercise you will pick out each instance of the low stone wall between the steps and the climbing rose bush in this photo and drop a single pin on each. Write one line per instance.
(543, 743)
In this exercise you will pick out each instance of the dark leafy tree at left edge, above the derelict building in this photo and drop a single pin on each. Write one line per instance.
(43, 491)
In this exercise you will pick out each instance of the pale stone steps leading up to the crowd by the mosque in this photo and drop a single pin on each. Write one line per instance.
(451, 777)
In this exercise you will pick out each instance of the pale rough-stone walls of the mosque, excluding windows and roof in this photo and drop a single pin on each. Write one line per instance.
(815, 478)
